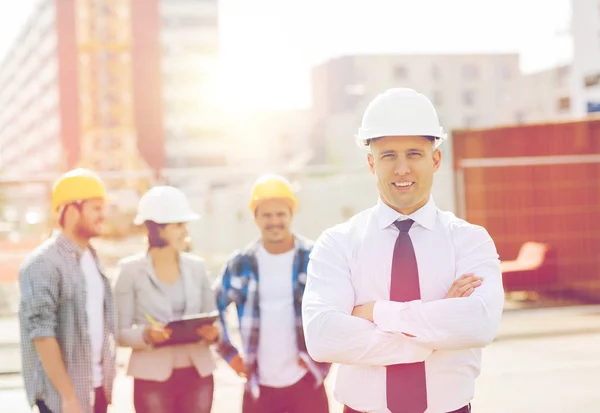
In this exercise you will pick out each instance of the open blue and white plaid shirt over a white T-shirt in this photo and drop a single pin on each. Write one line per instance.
(239, 284)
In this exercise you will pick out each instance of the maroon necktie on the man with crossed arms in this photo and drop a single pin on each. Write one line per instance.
(405, 383)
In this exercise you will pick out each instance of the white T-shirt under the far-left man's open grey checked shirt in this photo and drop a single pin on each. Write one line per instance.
(94, 305)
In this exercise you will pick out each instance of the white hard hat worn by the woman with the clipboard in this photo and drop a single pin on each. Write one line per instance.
(164, 205)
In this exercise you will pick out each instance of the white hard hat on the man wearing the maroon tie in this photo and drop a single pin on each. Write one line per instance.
(400, 112)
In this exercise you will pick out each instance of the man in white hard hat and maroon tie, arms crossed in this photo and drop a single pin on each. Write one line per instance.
(403, 296)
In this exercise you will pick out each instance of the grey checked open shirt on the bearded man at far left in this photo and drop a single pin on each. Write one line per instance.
(53, 304)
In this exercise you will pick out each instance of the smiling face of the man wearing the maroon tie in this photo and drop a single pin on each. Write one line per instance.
(404, 167)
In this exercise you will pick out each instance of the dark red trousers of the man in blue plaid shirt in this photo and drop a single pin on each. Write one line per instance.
(301, 397)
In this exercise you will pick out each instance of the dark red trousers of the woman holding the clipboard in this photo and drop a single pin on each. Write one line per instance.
(184, 392)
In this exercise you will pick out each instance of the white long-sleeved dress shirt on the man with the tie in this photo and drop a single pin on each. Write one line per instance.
(351, 265)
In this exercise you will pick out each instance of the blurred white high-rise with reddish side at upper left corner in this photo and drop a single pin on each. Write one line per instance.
(36, 134)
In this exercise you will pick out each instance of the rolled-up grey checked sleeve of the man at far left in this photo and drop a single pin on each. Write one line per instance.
(40, 288)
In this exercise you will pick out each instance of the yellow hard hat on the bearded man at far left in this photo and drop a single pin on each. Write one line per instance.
(76, 185)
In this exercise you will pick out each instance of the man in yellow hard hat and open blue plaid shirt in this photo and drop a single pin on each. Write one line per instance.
(266, 282)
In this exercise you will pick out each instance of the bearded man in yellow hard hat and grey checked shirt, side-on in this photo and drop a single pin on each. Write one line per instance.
(66, 313)
